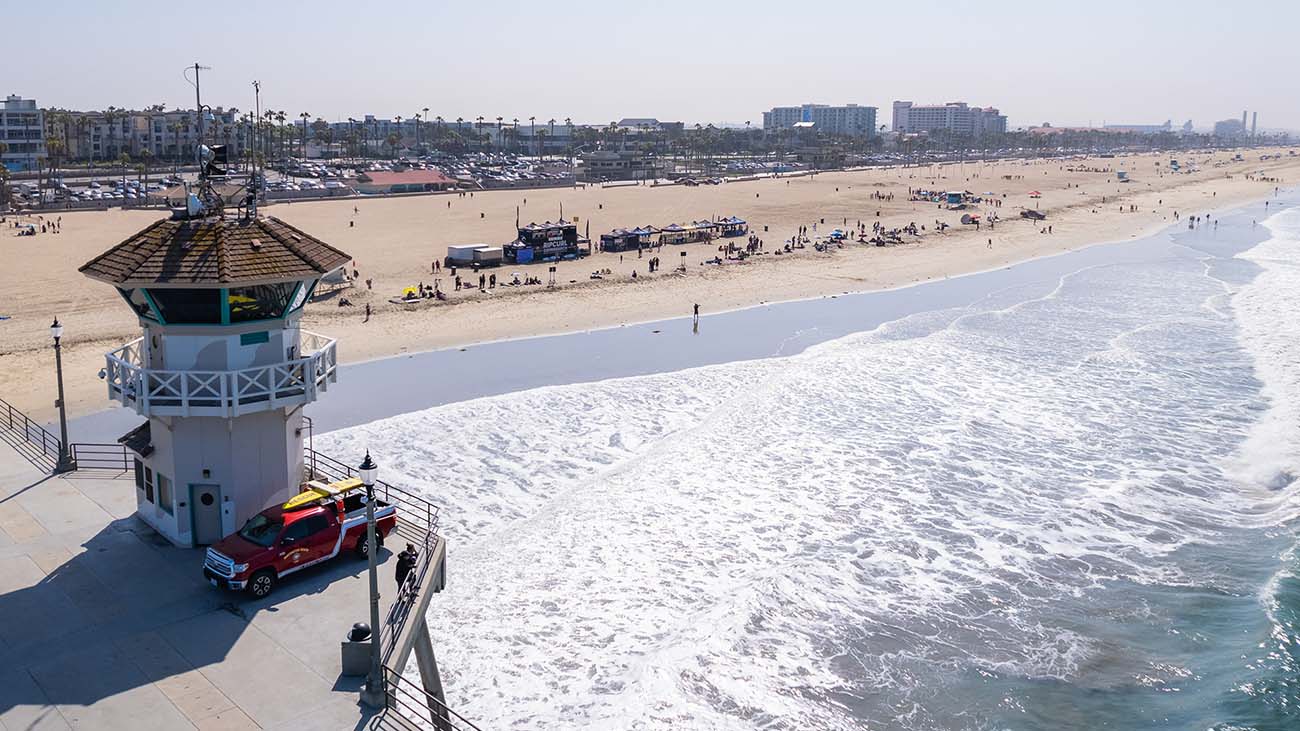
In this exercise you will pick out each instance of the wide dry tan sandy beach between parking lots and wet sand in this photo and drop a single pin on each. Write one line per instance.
(395, 243)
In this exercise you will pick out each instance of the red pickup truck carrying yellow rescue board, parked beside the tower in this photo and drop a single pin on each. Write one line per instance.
(318, 525)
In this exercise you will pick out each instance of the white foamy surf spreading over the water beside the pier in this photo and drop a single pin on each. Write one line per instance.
(878, 531)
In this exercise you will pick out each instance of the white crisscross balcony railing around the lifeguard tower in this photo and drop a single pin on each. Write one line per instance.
(220, 393)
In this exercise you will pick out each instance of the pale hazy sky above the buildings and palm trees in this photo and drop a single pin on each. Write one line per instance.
(1134, 62)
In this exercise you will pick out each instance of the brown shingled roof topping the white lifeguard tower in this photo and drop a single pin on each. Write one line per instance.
(215, 252)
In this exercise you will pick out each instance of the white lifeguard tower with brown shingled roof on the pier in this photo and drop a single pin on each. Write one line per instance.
(223, 371)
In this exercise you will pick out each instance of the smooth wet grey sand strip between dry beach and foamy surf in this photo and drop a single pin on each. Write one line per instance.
(671, 345)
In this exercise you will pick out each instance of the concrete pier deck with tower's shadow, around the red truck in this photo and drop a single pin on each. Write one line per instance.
(105, 625)
